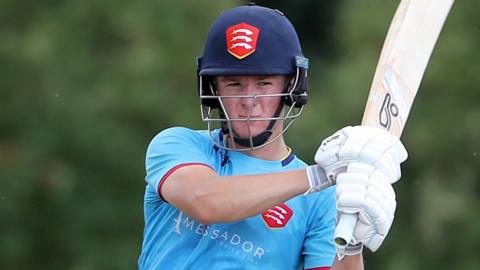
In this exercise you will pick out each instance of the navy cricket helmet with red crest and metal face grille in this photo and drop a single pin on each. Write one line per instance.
(251, 40)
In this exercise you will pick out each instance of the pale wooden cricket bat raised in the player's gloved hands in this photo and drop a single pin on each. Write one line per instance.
(409, 43)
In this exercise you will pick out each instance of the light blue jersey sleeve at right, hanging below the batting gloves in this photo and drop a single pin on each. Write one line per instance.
(318, 247)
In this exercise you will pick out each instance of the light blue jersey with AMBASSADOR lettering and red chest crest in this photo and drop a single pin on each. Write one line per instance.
(292, 235)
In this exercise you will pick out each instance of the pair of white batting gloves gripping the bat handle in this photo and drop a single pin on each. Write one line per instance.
(363, 161)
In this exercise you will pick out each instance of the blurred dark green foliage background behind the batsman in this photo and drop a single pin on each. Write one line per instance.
(85, 85)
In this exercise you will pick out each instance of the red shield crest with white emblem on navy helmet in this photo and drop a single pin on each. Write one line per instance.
(242, 40)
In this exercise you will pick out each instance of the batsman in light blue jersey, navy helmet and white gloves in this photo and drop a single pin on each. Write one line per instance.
(235, 195)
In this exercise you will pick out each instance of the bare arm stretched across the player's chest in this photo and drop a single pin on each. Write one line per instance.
(202, 194)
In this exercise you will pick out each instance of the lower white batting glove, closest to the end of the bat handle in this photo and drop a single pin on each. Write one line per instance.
(366, 191)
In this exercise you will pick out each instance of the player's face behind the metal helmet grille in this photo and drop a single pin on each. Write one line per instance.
(242, 98)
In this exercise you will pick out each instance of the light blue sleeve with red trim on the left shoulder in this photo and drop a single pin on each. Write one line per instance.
(172, 149)
